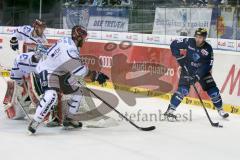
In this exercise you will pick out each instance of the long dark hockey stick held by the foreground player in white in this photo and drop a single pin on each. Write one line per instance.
(119, 113)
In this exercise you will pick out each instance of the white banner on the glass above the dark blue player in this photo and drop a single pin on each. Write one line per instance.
(181, 21)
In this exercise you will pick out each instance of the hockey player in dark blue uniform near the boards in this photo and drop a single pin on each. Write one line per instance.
(198, 61)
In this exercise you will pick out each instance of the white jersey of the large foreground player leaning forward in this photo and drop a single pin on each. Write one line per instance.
(63, 57)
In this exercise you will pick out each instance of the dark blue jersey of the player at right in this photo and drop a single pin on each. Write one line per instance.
(198, 60)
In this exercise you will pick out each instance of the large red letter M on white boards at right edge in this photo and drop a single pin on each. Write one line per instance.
(232, 80)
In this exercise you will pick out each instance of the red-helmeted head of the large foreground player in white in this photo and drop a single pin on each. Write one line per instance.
(79, 34)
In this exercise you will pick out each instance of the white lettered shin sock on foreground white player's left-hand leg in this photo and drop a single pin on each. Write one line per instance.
(47, 103)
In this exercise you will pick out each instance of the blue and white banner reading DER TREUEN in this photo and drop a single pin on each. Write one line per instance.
(97, 18)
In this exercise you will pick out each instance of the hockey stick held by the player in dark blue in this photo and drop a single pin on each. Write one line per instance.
(214, 124)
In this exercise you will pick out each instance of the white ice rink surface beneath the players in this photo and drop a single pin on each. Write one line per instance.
(192, 140)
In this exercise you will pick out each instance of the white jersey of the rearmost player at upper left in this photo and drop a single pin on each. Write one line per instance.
(24, 33)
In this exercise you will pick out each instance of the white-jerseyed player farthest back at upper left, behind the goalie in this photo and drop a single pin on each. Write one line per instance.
(29, 34)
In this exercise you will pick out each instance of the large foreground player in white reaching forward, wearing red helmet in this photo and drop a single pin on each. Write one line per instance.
(63, 57)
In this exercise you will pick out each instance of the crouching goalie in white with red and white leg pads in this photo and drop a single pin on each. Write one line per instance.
(19, 93)
